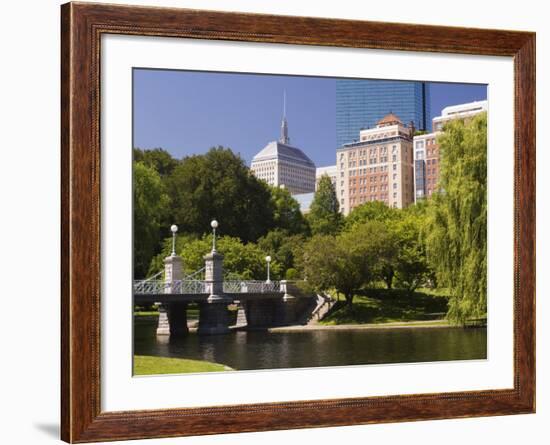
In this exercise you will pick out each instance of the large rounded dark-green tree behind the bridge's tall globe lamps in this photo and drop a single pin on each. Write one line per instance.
(219, 185)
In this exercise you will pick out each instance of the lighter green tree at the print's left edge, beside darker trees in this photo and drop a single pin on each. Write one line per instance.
(150, 207)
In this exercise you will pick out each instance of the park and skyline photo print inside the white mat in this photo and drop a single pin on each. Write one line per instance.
(294, 221)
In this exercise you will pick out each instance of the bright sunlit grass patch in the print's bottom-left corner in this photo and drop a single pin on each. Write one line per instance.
(148, 365)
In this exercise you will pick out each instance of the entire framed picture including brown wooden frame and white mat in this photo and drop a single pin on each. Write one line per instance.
(294, 209)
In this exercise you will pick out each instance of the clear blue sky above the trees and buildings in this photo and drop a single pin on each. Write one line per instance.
(187, 112)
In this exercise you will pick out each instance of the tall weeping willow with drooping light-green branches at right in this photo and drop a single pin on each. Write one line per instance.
(457, 222)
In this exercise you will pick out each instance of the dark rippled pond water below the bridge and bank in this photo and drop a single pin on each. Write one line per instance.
(268, 350)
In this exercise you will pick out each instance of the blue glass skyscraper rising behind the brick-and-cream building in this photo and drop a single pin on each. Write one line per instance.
(361, 103)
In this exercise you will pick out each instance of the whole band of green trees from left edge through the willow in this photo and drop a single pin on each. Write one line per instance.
(437, 243)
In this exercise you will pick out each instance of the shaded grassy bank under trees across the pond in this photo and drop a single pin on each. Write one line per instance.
(389, 306)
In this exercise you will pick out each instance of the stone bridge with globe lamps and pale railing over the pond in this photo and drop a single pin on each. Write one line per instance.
(261, 304)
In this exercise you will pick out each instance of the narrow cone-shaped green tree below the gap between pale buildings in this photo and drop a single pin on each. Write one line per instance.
(324, 215)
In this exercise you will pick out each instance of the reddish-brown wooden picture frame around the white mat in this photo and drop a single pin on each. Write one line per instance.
(82, 26)
